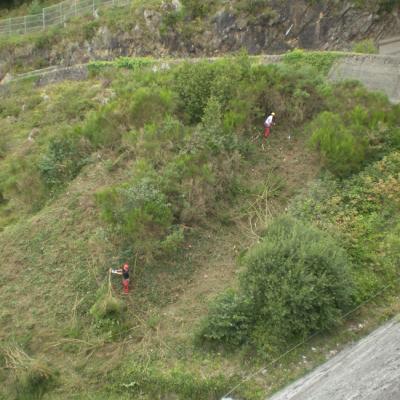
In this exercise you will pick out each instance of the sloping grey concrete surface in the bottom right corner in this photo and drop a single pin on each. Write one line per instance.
(369, 370)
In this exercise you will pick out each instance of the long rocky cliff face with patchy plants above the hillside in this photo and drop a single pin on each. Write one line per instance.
(286, 24)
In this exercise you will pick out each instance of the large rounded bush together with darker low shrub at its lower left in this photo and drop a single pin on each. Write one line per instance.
(295, 282)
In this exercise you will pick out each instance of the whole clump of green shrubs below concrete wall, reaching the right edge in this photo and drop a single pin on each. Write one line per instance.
(349, 137)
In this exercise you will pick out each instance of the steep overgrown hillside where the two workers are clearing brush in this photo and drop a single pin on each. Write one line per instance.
(164, 169)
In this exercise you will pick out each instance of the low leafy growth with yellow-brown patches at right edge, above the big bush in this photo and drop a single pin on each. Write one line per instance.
(363, 210)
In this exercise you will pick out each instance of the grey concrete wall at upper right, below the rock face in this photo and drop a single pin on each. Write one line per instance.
(376, 72)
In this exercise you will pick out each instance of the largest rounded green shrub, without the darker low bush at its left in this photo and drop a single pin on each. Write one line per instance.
(298, 280)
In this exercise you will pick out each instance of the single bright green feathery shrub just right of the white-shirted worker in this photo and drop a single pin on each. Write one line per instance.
(340, 150)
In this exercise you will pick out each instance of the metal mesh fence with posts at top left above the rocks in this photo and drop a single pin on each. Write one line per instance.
(54, 15)
